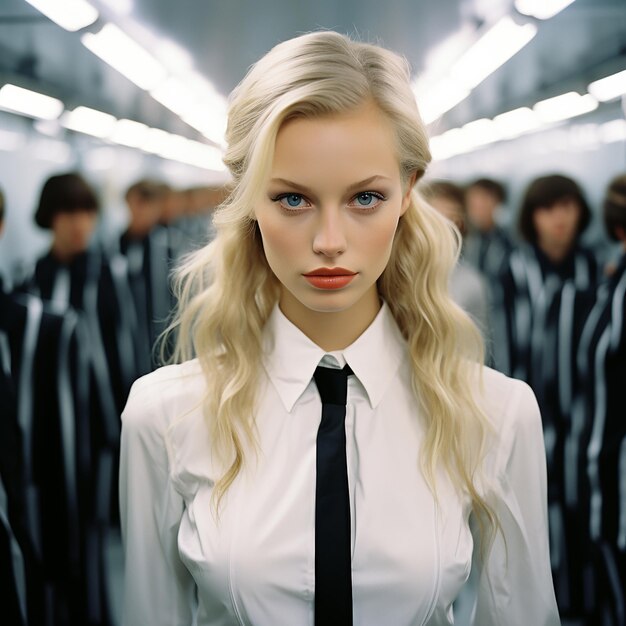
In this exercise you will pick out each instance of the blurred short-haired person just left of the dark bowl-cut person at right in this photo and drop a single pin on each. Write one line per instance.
(487, 246)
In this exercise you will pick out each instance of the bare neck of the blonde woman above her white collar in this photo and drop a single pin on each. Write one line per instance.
(335, 330)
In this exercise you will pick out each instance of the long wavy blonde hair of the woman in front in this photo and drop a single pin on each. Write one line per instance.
(227, 291)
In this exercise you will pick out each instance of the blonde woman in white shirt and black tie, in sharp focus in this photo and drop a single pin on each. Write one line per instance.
(328, 449)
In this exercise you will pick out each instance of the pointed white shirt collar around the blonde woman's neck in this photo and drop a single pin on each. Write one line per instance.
(290, 357)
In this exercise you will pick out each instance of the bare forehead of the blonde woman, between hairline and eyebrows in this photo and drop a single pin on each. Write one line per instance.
(336, 149)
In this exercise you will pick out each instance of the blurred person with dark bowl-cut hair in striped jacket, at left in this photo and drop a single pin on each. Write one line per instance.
(76, 275)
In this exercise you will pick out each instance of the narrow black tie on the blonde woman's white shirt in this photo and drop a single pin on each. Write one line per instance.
(333, 570)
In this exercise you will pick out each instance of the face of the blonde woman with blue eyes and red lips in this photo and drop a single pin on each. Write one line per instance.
(330, 210)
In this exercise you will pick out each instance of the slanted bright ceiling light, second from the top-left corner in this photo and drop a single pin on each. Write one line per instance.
(124, 54)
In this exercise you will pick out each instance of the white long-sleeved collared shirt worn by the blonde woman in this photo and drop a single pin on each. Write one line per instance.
(255, 566)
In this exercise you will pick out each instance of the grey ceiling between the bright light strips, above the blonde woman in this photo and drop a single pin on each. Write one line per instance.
(224, 38)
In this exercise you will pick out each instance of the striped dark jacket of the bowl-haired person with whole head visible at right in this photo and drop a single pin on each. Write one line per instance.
(540, 311)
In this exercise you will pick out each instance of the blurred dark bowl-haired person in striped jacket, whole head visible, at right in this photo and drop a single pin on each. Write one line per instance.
(545, 294)
